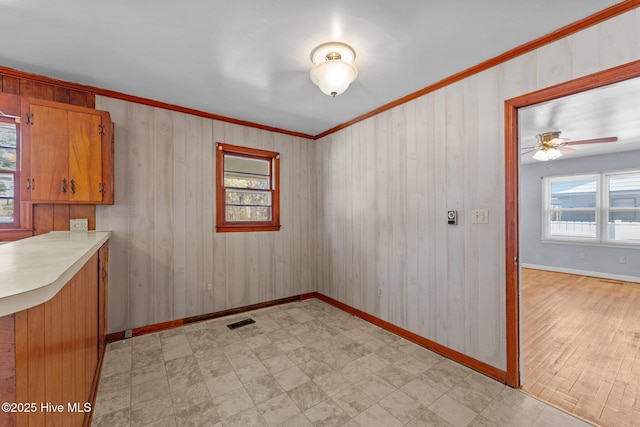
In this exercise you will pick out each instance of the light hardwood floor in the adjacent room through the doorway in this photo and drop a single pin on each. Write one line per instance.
(580, 345)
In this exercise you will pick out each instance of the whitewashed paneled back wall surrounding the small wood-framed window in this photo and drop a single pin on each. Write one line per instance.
(164, 248)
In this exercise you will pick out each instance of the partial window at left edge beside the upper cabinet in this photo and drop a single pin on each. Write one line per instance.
(9, 173)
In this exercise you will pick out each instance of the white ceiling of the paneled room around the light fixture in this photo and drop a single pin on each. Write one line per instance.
(249, 59)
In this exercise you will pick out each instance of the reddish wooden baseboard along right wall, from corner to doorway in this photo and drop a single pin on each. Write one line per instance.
(456, 356)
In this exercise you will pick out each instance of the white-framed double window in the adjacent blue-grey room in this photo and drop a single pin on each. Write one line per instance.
(601, 208)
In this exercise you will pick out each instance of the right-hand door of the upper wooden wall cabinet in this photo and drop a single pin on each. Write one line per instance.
(85, 157)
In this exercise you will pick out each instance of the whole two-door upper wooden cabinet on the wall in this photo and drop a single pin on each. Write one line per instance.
(67, 153)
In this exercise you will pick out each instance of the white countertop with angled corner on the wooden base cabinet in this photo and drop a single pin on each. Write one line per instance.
(33, 270)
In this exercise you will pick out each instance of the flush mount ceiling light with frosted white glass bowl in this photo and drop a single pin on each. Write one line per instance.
(333, 70)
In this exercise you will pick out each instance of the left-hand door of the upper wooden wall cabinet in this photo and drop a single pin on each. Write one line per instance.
(49, 153)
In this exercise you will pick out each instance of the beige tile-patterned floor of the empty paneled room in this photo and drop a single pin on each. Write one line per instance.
(301, 364)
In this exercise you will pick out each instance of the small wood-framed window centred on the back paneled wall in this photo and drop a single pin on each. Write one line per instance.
(247, 189)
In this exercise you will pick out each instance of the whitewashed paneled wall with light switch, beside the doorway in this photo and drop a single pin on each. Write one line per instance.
(385, 185)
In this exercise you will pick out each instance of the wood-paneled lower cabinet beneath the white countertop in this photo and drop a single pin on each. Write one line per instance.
(57, 351)
